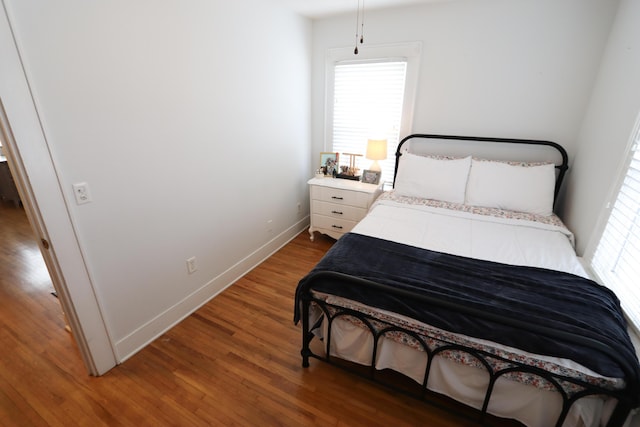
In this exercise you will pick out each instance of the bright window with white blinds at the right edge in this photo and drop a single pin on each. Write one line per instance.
(616, 259)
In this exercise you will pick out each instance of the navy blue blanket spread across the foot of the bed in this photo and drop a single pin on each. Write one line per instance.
(557, 300)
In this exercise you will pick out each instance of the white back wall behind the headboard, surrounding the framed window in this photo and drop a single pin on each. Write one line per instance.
(521, 69)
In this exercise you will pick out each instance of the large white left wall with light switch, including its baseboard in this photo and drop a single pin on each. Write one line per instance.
(189, 122)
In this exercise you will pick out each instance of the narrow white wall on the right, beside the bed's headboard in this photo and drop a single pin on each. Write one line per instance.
(607, 127)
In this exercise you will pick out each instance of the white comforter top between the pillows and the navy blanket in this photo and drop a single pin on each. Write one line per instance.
(488, 237)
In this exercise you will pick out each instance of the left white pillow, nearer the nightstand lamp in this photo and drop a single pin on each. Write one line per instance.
(432, 178)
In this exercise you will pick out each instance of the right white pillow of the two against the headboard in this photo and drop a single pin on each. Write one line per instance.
(521, 188)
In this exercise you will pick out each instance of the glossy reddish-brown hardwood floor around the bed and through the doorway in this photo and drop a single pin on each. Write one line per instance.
(234, 362)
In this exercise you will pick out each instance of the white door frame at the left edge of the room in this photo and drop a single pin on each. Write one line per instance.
(41, 191)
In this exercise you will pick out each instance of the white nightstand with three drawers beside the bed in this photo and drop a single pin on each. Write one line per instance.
(338, 204)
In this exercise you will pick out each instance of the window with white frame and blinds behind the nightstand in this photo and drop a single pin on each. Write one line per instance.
(370, 96)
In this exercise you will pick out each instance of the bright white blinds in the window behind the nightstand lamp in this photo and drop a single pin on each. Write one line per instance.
(367, 104)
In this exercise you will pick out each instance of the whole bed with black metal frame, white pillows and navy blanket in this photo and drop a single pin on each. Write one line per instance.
(463, 280)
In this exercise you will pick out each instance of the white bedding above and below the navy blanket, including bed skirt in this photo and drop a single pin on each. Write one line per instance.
(482, 233)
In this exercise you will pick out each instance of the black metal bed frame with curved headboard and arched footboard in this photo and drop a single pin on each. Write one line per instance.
(570, 389)
